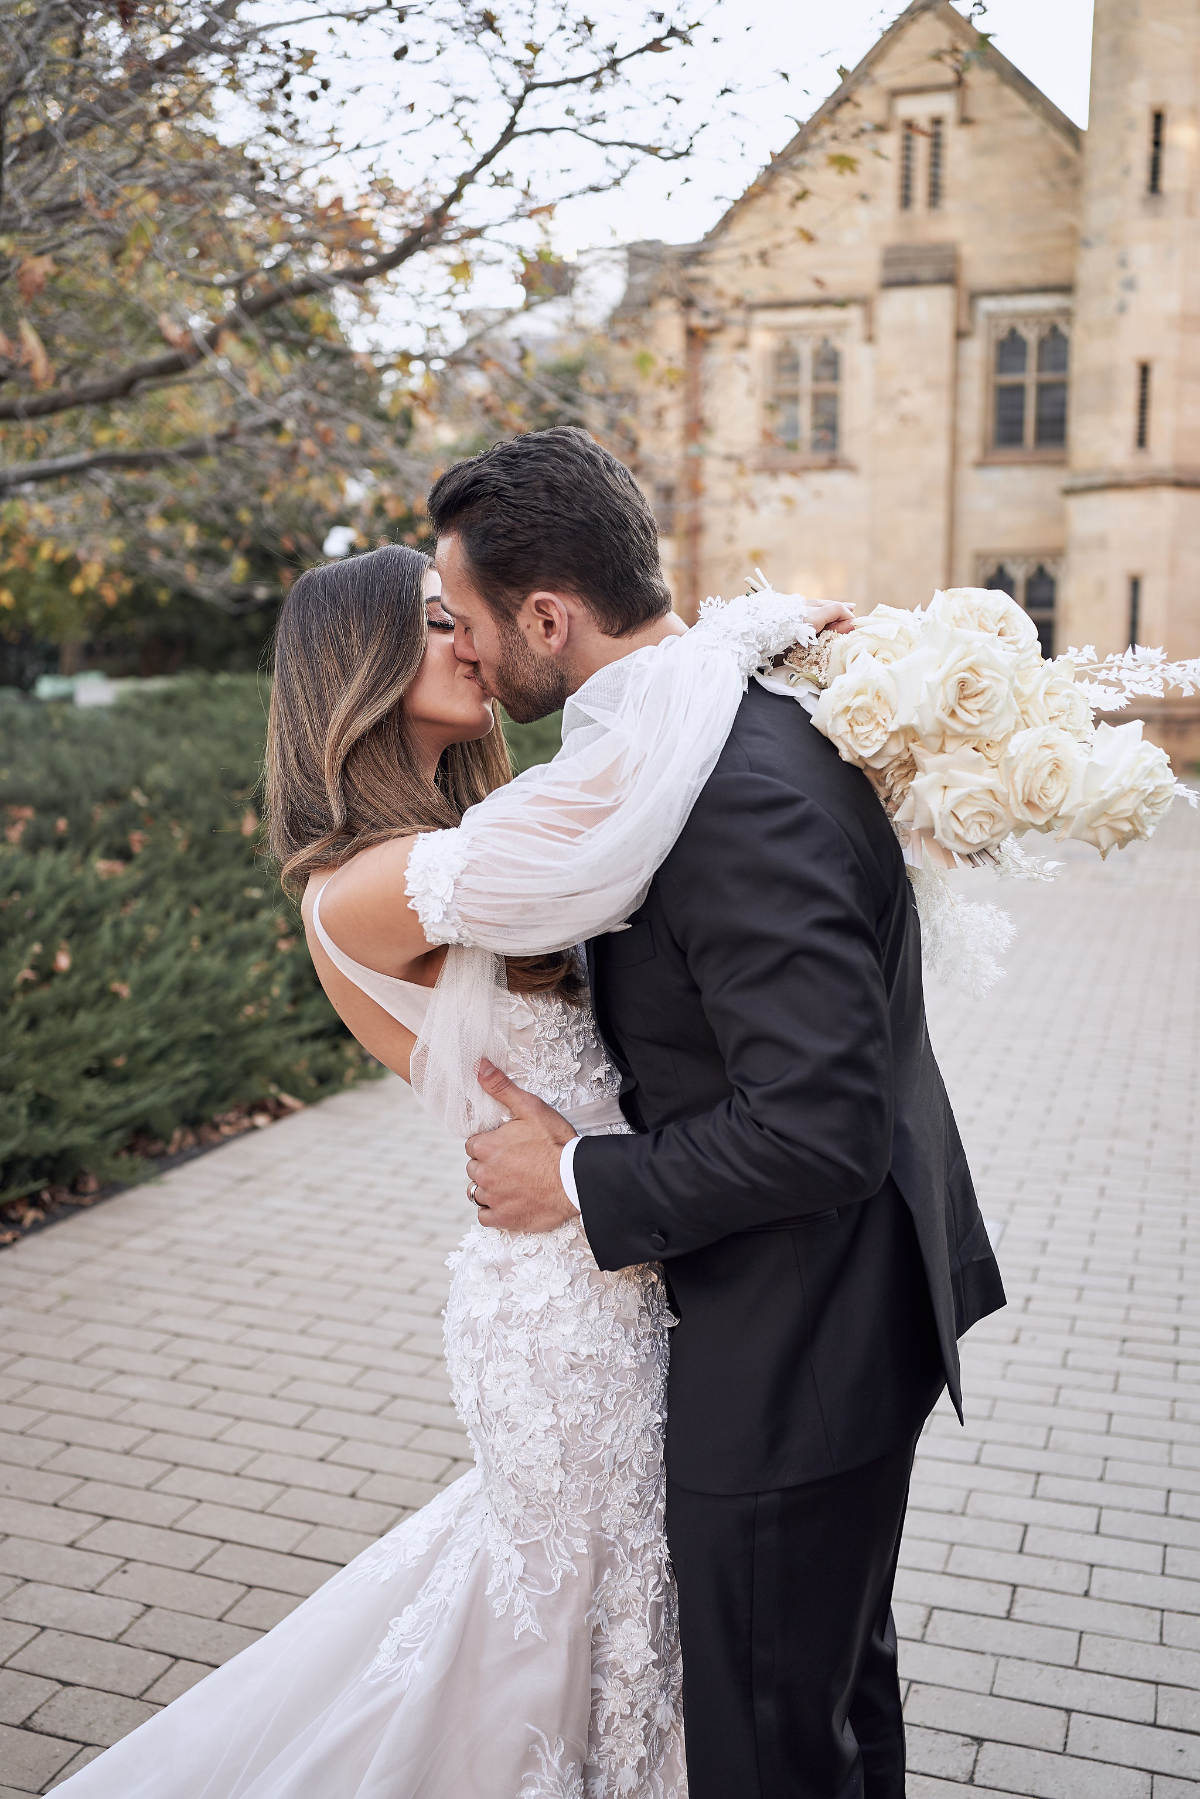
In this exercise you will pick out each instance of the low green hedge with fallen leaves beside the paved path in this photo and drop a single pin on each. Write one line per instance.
(157, 974)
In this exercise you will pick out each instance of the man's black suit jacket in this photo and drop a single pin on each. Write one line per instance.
(796, 1167)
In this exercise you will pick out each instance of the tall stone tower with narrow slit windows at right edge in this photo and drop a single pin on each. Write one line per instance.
(1134, 479)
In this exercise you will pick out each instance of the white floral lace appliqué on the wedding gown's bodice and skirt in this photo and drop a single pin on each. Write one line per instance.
(559, 1374)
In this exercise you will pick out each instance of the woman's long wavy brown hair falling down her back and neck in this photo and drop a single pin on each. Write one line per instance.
(341, 771)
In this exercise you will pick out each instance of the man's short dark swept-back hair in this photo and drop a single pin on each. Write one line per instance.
(555, 510)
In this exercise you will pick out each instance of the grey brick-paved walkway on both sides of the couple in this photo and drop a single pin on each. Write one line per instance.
(222, 1386)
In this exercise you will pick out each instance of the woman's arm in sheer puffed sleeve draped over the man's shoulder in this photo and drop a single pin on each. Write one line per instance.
(568, 850)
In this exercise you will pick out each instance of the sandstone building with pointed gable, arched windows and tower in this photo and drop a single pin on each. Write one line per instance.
(949, 339)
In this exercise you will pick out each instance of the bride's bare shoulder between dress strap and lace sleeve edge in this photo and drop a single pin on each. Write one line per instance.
(364, 908)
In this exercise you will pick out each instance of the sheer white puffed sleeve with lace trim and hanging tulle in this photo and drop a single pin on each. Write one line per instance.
(566, 852)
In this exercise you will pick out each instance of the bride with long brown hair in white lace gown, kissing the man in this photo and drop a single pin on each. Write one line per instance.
(517, 1638)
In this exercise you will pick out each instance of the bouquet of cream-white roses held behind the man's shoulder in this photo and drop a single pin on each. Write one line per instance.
(972, 738)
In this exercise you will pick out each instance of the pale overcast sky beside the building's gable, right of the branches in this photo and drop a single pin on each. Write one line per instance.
(1050, 40)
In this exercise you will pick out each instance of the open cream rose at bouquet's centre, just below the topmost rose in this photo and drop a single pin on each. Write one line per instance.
(962, 690)
